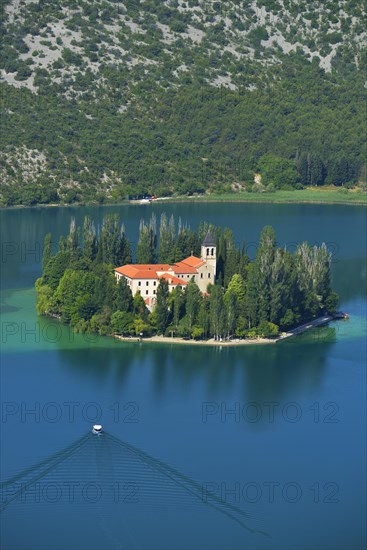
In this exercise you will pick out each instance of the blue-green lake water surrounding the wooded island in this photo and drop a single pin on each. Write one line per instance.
(275, 433)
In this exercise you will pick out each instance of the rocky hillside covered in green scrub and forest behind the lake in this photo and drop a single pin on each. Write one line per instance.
(104, 99)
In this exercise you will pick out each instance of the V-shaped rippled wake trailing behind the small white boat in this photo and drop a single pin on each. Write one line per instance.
(107, 459)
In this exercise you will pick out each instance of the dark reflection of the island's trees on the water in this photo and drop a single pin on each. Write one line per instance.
(257, 372)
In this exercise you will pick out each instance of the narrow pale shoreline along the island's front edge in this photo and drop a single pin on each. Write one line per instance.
(320, 321)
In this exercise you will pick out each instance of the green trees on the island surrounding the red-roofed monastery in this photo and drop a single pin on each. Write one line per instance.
(276, 291)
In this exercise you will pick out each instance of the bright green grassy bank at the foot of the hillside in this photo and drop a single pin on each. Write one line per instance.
(316, 195)
